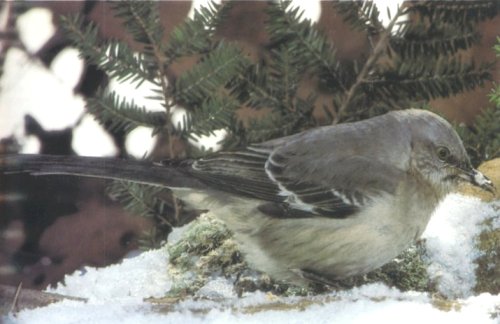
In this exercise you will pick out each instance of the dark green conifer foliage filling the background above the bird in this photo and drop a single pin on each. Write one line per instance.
(414, 58)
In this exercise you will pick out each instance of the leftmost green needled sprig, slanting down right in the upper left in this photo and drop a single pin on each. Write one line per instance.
(116, 58)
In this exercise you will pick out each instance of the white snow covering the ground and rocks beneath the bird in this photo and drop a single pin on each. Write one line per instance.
(116, 293)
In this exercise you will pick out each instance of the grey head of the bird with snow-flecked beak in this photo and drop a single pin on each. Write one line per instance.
(438, 154)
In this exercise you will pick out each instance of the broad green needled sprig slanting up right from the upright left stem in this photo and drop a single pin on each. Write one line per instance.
(209, 76)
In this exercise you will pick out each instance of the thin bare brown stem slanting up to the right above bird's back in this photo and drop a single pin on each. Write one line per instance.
(369, 65)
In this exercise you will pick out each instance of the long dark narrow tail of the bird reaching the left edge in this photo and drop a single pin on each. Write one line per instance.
(95, 167)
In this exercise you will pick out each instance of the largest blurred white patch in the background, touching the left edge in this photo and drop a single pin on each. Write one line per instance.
(28, 87)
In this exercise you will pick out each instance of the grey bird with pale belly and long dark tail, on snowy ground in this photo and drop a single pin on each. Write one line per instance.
(324, 204)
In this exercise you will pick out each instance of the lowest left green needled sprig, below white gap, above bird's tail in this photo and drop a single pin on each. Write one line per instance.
(122, 115)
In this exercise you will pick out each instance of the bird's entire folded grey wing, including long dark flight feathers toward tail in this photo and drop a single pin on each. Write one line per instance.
(296, 185)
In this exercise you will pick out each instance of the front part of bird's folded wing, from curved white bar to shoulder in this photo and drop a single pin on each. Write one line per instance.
(330, 187)
